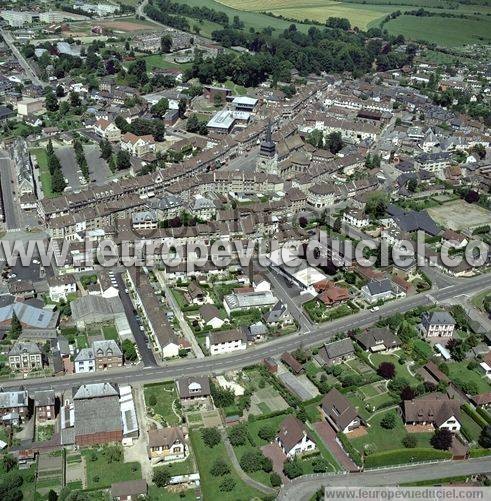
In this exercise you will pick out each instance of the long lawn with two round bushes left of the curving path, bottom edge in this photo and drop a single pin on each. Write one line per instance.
(205, 457)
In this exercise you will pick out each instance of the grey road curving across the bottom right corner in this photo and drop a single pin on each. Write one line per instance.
(305, 487)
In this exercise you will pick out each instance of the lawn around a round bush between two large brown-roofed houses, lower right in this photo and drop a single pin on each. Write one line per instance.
(379, 439)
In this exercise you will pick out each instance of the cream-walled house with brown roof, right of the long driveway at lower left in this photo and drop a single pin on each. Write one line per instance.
(166, 444)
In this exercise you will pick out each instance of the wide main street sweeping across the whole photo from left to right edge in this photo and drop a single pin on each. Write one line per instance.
(237, 360)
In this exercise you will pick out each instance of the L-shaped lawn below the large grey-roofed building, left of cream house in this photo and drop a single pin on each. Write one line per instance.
(101, 474)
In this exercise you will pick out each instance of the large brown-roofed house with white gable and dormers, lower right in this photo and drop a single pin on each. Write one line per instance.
(436, 409)
